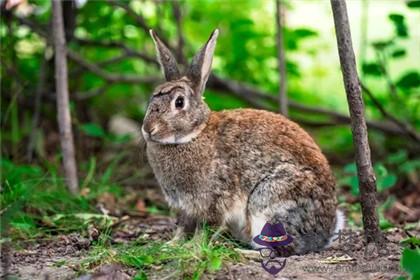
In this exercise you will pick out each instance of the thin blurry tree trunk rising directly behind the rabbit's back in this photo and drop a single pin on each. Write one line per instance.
(283, 104)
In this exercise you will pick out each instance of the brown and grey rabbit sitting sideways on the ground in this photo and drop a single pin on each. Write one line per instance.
(237, 169)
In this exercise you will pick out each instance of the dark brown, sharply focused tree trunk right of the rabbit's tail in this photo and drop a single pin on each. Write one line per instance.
(367, 181)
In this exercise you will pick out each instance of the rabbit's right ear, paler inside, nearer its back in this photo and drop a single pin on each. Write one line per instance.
(200, 68)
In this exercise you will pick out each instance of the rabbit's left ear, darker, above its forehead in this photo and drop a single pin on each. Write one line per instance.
(166, 60)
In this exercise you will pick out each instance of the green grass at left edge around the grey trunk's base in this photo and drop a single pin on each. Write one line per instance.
(35, 203)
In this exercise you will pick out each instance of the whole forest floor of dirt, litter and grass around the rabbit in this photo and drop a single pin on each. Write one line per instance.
(114, 232)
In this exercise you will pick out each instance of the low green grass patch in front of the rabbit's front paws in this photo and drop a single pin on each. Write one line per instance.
(189, 259)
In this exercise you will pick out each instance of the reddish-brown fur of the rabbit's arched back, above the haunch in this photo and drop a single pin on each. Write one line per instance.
(256, 141)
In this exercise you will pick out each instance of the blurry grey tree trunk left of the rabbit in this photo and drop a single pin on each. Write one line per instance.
(63, 111)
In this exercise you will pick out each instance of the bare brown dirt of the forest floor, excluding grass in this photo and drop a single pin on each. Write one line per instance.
(348, 258)
